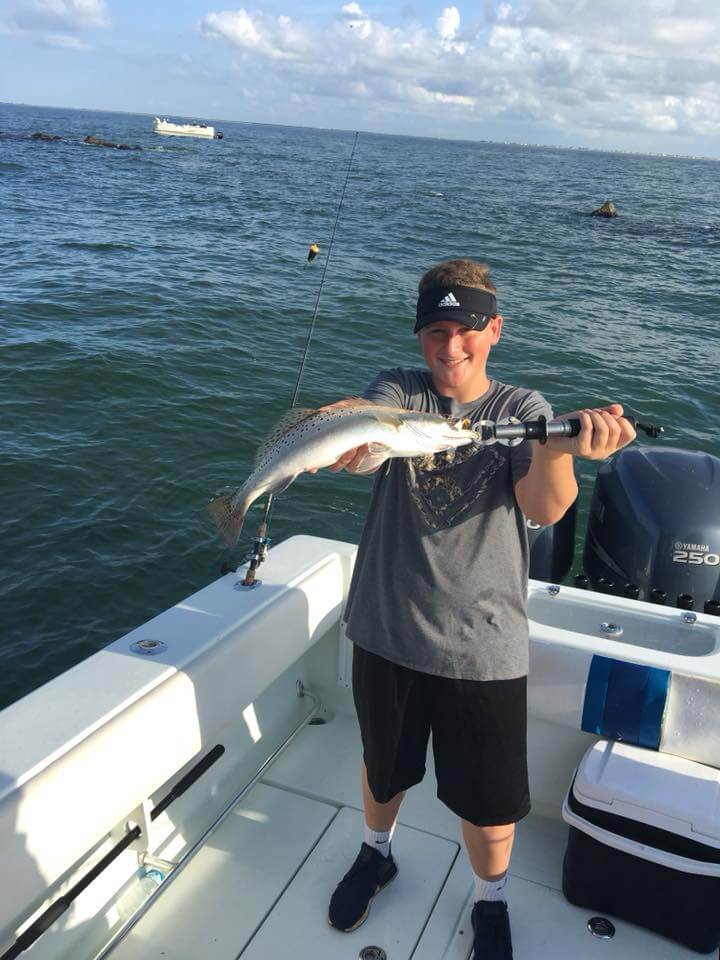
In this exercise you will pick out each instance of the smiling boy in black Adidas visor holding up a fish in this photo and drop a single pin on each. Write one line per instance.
(437, 604)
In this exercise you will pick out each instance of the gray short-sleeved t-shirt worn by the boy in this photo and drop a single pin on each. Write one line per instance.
(440, 581)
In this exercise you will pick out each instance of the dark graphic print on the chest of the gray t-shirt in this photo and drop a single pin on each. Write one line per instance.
(444, 488)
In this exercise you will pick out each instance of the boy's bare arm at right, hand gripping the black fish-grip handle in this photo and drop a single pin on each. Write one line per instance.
(549, 487)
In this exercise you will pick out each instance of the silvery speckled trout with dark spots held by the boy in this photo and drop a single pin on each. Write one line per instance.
(311, 439)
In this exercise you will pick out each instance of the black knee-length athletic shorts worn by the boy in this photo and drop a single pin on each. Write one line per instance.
(478, 736)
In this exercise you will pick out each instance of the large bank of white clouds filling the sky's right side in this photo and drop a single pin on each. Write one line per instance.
(650, 66)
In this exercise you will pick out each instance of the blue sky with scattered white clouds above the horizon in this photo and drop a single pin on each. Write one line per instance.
(641, 75)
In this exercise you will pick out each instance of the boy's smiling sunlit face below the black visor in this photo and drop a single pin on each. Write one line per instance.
(457, 355)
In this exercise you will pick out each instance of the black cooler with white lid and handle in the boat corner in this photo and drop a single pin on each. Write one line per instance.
(644, 841)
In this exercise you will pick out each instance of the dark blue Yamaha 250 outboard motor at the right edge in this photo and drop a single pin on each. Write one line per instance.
(654, 528)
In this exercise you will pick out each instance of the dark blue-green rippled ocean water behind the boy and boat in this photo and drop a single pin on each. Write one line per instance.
(155, 305)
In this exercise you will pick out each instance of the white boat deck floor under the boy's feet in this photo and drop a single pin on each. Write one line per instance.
(260, 886)
